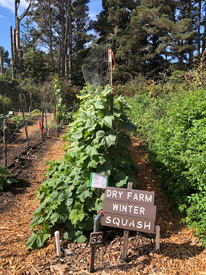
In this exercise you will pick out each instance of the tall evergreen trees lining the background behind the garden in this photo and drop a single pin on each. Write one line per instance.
(150, 36)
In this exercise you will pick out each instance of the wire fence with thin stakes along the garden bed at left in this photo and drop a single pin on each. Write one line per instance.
(19, 140)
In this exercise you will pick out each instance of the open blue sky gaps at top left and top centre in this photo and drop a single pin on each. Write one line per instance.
(7, 17)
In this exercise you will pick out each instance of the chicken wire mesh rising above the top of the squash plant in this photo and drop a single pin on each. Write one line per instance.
(97, 68)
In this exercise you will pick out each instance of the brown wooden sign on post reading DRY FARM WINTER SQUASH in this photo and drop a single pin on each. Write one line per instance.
(130, 210)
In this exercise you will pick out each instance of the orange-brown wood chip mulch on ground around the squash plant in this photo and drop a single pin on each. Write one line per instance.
(180, 250)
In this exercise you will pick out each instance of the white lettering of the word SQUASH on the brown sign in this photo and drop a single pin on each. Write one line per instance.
(123, 222)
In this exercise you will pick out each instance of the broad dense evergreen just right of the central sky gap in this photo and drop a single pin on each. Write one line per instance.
(148, 36)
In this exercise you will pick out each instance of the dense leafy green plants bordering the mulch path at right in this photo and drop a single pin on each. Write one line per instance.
(174, 126)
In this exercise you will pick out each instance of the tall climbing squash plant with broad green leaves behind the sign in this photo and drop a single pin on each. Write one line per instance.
(98, 143)
